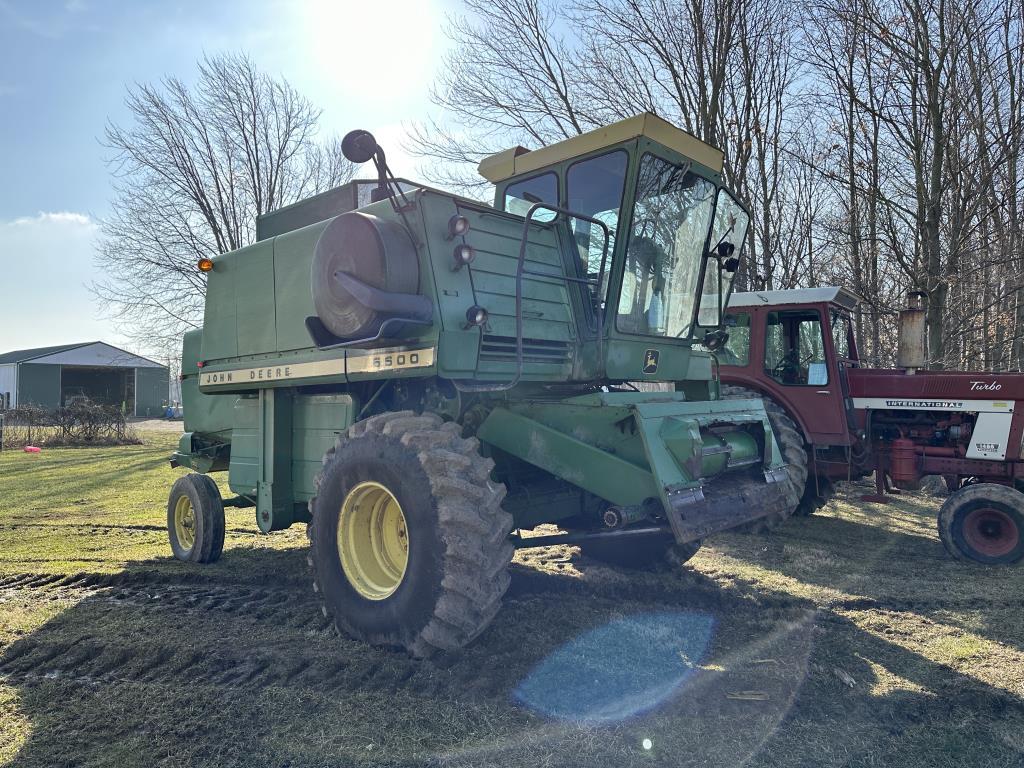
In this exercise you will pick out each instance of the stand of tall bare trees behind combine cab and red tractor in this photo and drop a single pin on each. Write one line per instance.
(878, 143)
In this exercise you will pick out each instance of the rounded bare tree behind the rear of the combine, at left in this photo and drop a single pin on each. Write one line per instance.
(193, 172)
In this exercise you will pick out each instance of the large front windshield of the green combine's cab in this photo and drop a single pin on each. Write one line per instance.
(671, 222)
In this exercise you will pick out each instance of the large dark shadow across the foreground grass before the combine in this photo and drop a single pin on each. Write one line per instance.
(234, 665)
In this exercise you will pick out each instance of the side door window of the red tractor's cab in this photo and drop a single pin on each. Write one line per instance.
(795, 351)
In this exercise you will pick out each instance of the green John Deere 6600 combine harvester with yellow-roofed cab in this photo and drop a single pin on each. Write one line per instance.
(421, 377)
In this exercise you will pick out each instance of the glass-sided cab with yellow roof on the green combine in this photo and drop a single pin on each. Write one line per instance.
(656, 238)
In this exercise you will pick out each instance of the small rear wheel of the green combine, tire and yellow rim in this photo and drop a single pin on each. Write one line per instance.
(196, 520)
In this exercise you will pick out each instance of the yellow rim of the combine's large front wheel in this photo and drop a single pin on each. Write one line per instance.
(373, 541)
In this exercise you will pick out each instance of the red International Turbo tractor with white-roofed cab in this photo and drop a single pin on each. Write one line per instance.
(796, 350)
